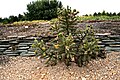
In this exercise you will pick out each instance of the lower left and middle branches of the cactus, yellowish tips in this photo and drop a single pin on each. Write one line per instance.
(59, 49)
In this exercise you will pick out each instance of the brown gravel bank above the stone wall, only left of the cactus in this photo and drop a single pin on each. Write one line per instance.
(22, 31)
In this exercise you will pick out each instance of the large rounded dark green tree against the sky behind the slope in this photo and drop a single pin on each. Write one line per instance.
(43, 9)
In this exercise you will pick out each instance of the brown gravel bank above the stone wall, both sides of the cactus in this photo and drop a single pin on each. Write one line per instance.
(43, 28)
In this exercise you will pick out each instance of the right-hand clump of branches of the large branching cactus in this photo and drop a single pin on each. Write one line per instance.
(86, 46)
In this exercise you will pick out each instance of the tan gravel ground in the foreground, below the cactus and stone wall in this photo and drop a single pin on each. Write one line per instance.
(33, 68)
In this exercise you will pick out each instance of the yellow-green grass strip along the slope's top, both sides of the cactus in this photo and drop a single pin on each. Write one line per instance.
(80, 18)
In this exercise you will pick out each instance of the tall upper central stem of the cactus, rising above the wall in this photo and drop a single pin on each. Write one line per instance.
(67, 20)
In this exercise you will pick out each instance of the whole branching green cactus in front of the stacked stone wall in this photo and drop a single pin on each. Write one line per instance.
(70, 44)
